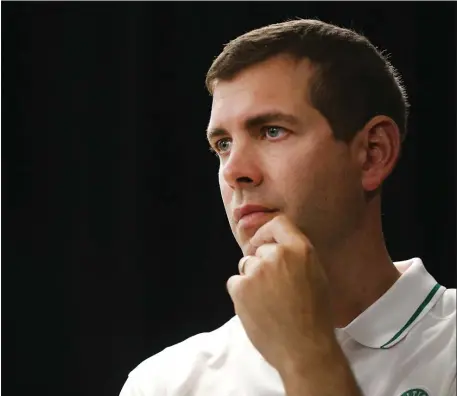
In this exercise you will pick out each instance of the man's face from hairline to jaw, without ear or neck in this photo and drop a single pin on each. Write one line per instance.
(277, 151)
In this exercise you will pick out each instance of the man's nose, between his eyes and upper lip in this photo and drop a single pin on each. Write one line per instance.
(241, 169)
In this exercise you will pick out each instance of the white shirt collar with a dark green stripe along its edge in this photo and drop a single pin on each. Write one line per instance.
(390, 318)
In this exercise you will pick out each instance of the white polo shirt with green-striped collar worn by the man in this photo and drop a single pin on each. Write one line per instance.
(402, 345)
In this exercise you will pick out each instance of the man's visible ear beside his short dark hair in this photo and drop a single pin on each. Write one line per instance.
(378, 149)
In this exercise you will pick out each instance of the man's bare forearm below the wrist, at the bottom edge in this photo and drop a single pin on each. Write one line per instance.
(324, 373)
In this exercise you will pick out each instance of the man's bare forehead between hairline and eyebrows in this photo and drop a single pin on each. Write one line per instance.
(278, 84)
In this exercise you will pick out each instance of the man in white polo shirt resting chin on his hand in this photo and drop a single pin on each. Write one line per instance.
(307, 120)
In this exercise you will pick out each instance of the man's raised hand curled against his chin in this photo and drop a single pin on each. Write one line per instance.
(282, 298)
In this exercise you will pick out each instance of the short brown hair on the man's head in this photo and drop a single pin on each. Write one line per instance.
(353, 81)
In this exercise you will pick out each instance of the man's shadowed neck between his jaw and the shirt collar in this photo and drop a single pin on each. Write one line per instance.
(359, 269)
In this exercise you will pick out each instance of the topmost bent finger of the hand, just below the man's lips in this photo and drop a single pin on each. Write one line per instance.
(278, 230)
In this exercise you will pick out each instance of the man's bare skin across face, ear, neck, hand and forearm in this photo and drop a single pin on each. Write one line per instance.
(319, 260)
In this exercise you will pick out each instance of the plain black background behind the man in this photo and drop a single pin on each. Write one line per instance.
(115, 241)
